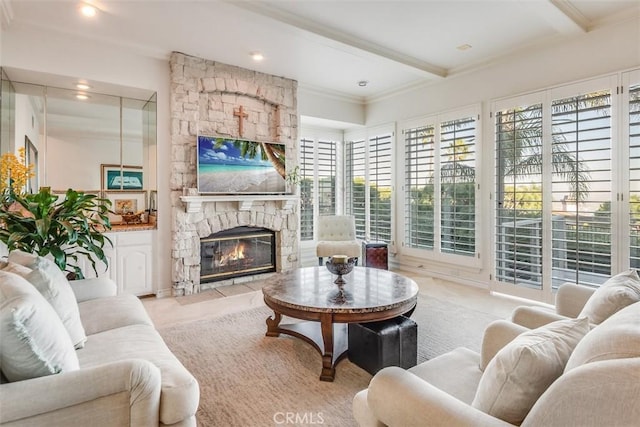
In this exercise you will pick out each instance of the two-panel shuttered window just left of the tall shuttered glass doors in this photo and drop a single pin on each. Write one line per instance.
(440, 187)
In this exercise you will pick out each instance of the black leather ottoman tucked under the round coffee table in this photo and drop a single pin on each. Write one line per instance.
(376, 345)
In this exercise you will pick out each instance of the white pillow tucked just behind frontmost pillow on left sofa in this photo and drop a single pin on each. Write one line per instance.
(47, 278)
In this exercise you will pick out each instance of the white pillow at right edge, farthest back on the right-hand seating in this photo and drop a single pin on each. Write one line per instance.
(616, 293)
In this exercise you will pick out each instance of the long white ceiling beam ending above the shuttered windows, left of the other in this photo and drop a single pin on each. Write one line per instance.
(419, 67)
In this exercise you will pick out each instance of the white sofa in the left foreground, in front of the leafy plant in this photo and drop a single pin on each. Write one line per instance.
(123, 374)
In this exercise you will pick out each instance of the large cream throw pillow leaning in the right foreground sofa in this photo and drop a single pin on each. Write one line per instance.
(522, 370)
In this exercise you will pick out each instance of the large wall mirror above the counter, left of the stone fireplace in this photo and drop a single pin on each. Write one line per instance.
(98, 139)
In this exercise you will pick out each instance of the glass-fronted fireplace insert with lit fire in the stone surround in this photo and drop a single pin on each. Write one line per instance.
(237, 252)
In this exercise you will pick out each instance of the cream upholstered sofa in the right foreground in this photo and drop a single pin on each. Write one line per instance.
(596, 382)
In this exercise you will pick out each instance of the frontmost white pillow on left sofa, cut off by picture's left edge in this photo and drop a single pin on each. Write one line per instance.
(33, 341)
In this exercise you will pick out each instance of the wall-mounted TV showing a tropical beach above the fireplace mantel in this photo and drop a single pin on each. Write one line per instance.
(240, 166)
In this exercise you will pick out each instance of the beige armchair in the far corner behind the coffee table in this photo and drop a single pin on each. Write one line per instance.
(337, 236)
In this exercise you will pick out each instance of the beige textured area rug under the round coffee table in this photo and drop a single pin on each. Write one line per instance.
(248, 379)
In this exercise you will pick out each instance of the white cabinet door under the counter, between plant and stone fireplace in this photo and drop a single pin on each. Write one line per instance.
(134, 269)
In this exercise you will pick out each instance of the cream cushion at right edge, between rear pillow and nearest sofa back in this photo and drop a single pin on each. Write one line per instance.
(616, 338)
